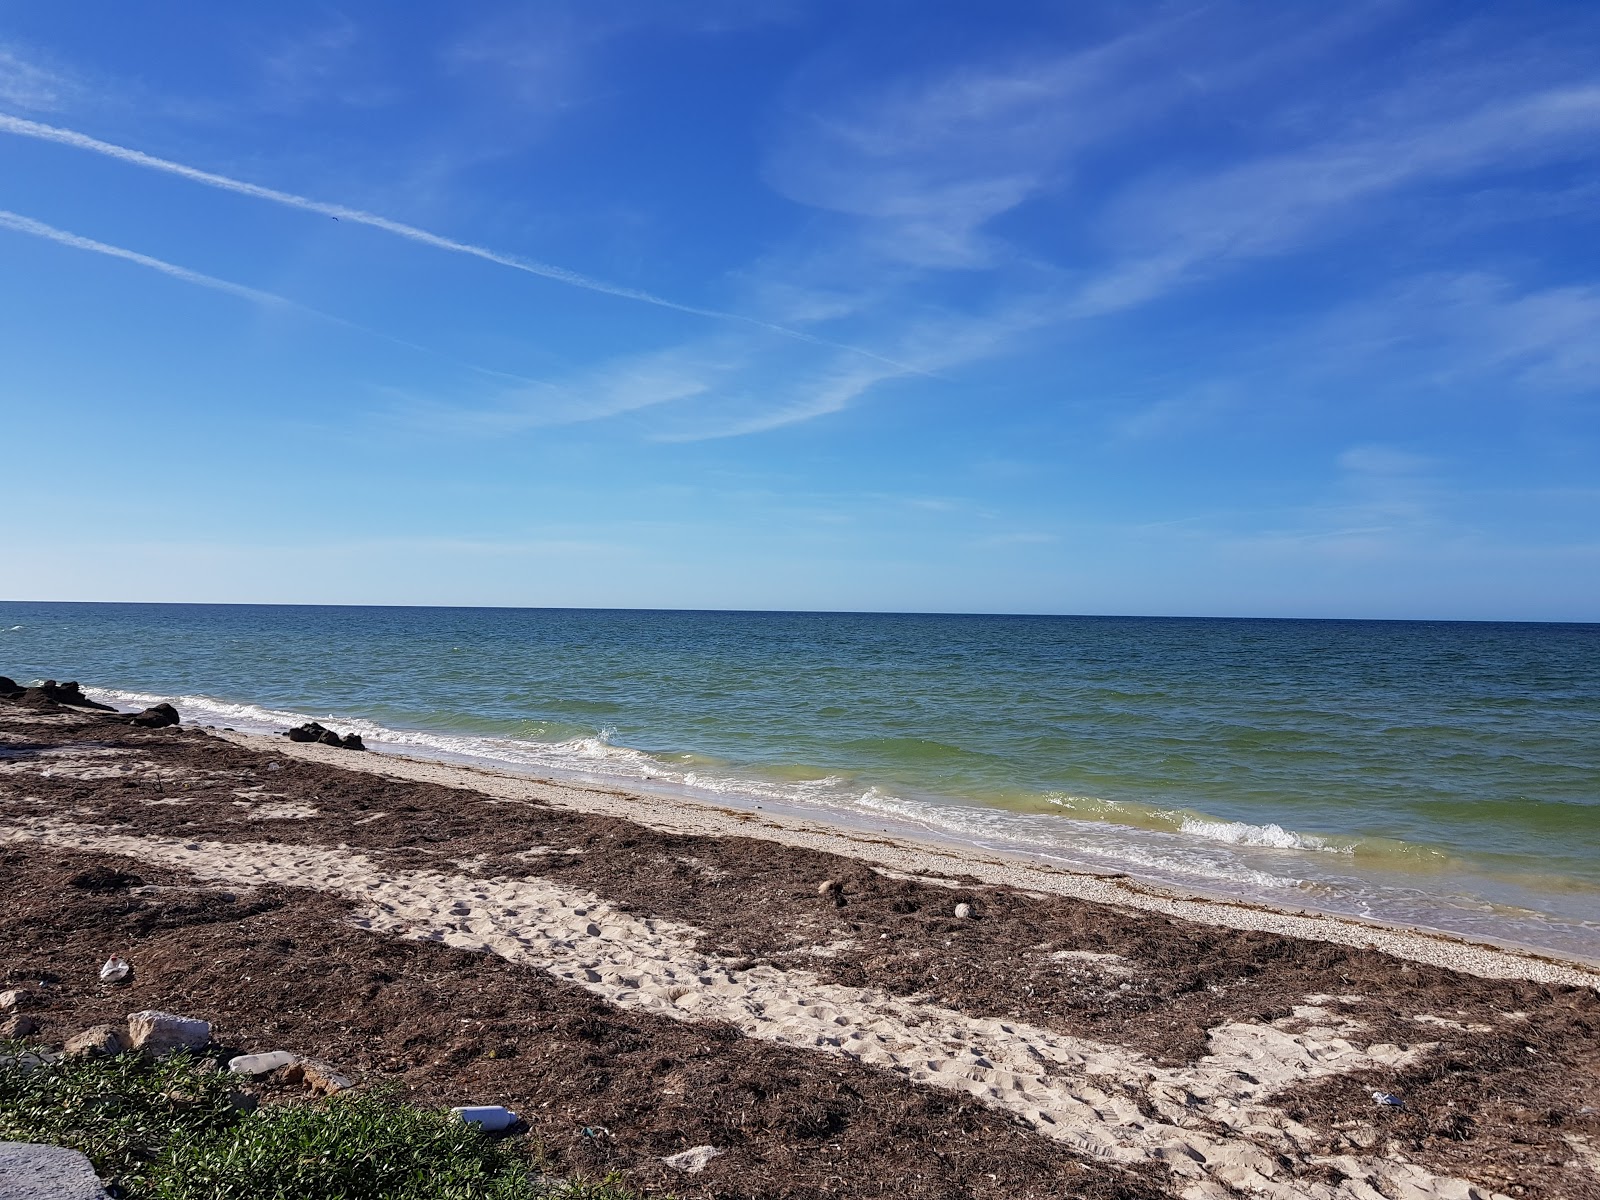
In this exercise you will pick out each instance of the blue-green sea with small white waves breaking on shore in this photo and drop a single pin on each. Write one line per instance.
(1431, 774)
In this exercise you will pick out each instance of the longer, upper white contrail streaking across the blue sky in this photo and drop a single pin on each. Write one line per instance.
(82, 142)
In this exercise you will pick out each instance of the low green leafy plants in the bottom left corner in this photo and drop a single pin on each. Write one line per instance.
(169, 1132)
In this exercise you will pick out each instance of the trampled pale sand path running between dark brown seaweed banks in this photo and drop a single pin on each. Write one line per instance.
(1215, 1122)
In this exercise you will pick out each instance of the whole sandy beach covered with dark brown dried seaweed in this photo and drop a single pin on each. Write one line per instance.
(834, 1012)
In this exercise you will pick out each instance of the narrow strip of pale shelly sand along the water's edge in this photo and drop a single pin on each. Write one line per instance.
(940, 860)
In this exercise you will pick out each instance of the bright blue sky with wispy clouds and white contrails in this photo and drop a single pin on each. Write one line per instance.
(1062, 308)
